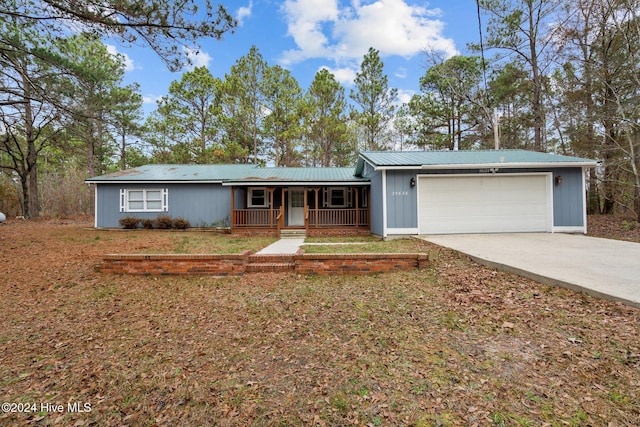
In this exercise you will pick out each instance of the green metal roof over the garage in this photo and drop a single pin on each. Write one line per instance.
(466, 159)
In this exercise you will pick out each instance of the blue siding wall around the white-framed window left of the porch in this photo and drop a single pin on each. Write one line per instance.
(201, 204)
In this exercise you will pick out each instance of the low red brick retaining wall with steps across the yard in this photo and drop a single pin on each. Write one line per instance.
(245, 262)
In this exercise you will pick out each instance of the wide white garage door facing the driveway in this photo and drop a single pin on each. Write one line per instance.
(484, 204)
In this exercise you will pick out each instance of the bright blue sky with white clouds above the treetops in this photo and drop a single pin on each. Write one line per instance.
(304, 36)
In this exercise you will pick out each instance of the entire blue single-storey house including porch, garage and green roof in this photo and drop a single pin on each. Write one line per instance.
(387, 193)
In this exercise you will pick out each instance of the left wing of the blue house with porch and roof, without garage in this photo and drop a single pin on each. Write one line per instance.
(248, 199)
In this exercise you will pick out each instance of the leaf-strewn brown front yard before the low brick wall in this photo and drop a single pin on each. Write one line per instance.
(457, 344)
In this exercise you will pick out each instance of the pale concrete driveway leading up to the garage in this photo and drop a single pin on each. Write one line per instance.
(600, 267)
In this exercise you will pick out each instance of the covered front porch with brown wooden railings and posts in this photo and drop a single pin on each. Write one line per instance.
(316, 209)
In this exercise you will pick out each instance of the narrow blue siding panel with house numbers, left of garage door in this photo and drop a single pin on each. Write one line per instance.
(402, 200)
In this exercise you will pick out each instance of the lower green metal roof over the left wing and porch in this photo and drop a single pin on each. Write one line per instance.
(229, 174)
